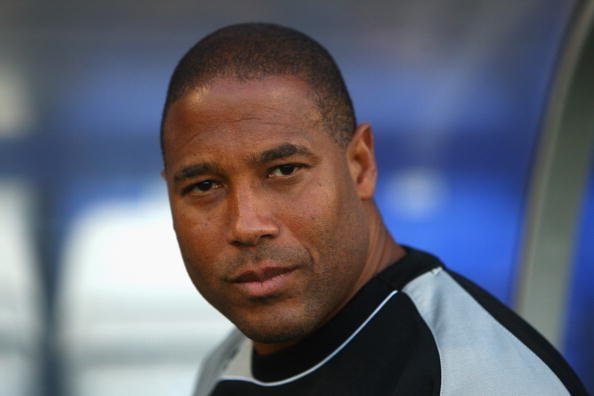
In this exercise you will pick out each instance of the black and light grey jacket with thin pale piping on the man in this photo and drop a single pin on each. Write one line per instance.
(415, 329)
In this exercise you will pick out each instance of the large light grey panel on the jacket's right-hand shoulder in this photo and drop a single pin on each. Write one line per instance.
(478, 355)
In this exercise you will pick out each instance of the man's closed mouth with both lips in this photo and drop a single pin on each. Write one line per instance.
(264, 281)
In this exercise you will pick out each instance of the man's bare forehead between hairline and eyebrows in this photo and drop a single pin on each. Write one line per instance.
(230, 114)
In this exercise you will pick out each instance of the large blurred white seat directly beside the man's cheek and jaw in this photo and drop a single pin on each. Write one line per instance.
(130, 320)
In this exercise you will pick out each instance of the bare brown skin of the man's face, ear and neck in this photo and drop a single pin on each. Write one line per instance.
(275, 221)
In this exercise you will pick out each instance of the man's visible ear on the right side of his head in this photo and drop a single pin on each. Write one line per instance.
(361, 161)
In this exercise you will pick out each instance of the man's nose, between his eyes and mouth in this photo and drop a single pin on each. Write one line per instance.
(251, 218)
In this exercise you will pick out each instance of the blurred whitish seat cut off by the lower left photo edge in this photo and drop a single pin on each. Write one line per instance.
(19, 294)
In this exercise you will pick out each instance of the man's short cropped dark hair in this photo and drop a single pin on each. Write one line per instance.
(253, 51)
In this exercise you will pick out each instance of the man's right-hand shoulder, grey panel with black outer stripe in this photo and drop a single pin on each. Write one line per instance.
(483, 346)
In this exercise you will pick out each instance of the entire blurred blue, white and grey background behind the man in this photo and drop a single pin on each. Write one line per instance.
(483, 118)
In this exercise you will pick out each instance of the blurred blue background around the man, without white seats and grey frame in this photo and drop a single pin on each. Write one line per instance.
(455, 92)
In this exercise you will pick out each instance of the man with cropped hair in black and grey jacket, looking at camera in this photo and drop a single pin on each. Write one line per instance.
(271, 187)
